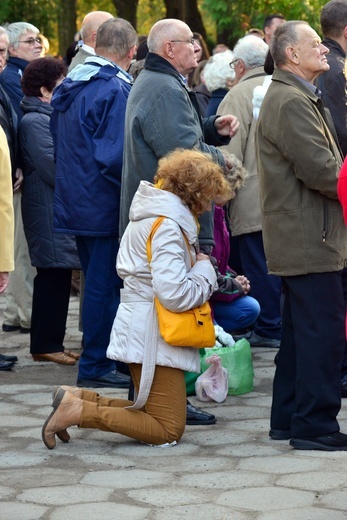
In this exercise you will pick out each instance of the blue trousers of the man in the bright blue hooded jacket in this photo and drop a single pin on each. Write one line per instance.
(101, 299)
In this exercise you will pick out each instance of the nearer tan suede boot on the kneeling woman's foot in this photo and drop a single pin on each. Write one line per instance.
(67, 411)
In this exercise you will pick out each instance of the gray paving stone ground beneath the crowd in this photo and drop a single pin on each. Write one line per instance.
(228, 471)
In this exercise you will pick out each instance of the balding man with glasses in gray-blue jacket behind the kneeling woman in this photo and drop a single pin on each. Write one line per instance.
(163, 114)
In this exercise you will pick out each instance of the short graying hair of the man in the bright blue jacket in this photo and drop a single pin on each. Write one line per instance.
(117, 36)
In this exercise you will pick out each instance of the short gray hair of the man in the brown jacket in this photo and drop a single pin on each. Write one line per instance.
(286, 35)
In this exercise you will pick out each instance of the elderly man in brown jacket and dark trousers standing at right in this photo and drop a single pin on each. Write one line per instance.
(305, 241)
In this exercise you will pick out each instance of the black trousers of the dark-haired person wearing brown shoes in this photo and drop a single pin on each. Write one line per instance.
(49, 310)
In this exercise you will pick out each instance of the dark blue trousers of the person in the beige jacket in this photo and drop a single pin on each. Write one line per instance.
(265, 288)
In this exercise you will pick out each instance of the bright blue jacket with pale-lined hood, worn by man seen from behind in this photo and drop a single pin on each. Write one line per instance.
(87, 125)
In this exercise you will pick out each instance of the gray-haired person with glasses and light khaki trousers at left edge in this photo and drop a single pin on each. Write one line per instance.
(23, 47)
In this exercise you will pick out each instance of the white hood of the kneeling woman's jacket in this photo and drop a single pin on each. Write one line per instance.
(151, 202)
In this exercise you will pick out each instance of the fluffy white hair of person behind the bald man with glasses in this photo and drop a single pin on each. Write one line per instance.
(217, 70)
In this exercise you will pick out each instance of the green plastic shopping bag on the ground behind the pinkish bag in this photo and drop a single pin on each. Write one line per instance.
(238, 361)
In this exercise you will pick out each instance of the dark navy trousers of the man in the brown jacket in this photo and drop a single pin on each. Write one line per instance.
(307, 384)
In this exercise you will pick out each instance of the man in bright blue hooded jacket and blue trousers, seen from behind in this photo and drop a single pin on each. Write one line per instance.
(87, 125)
